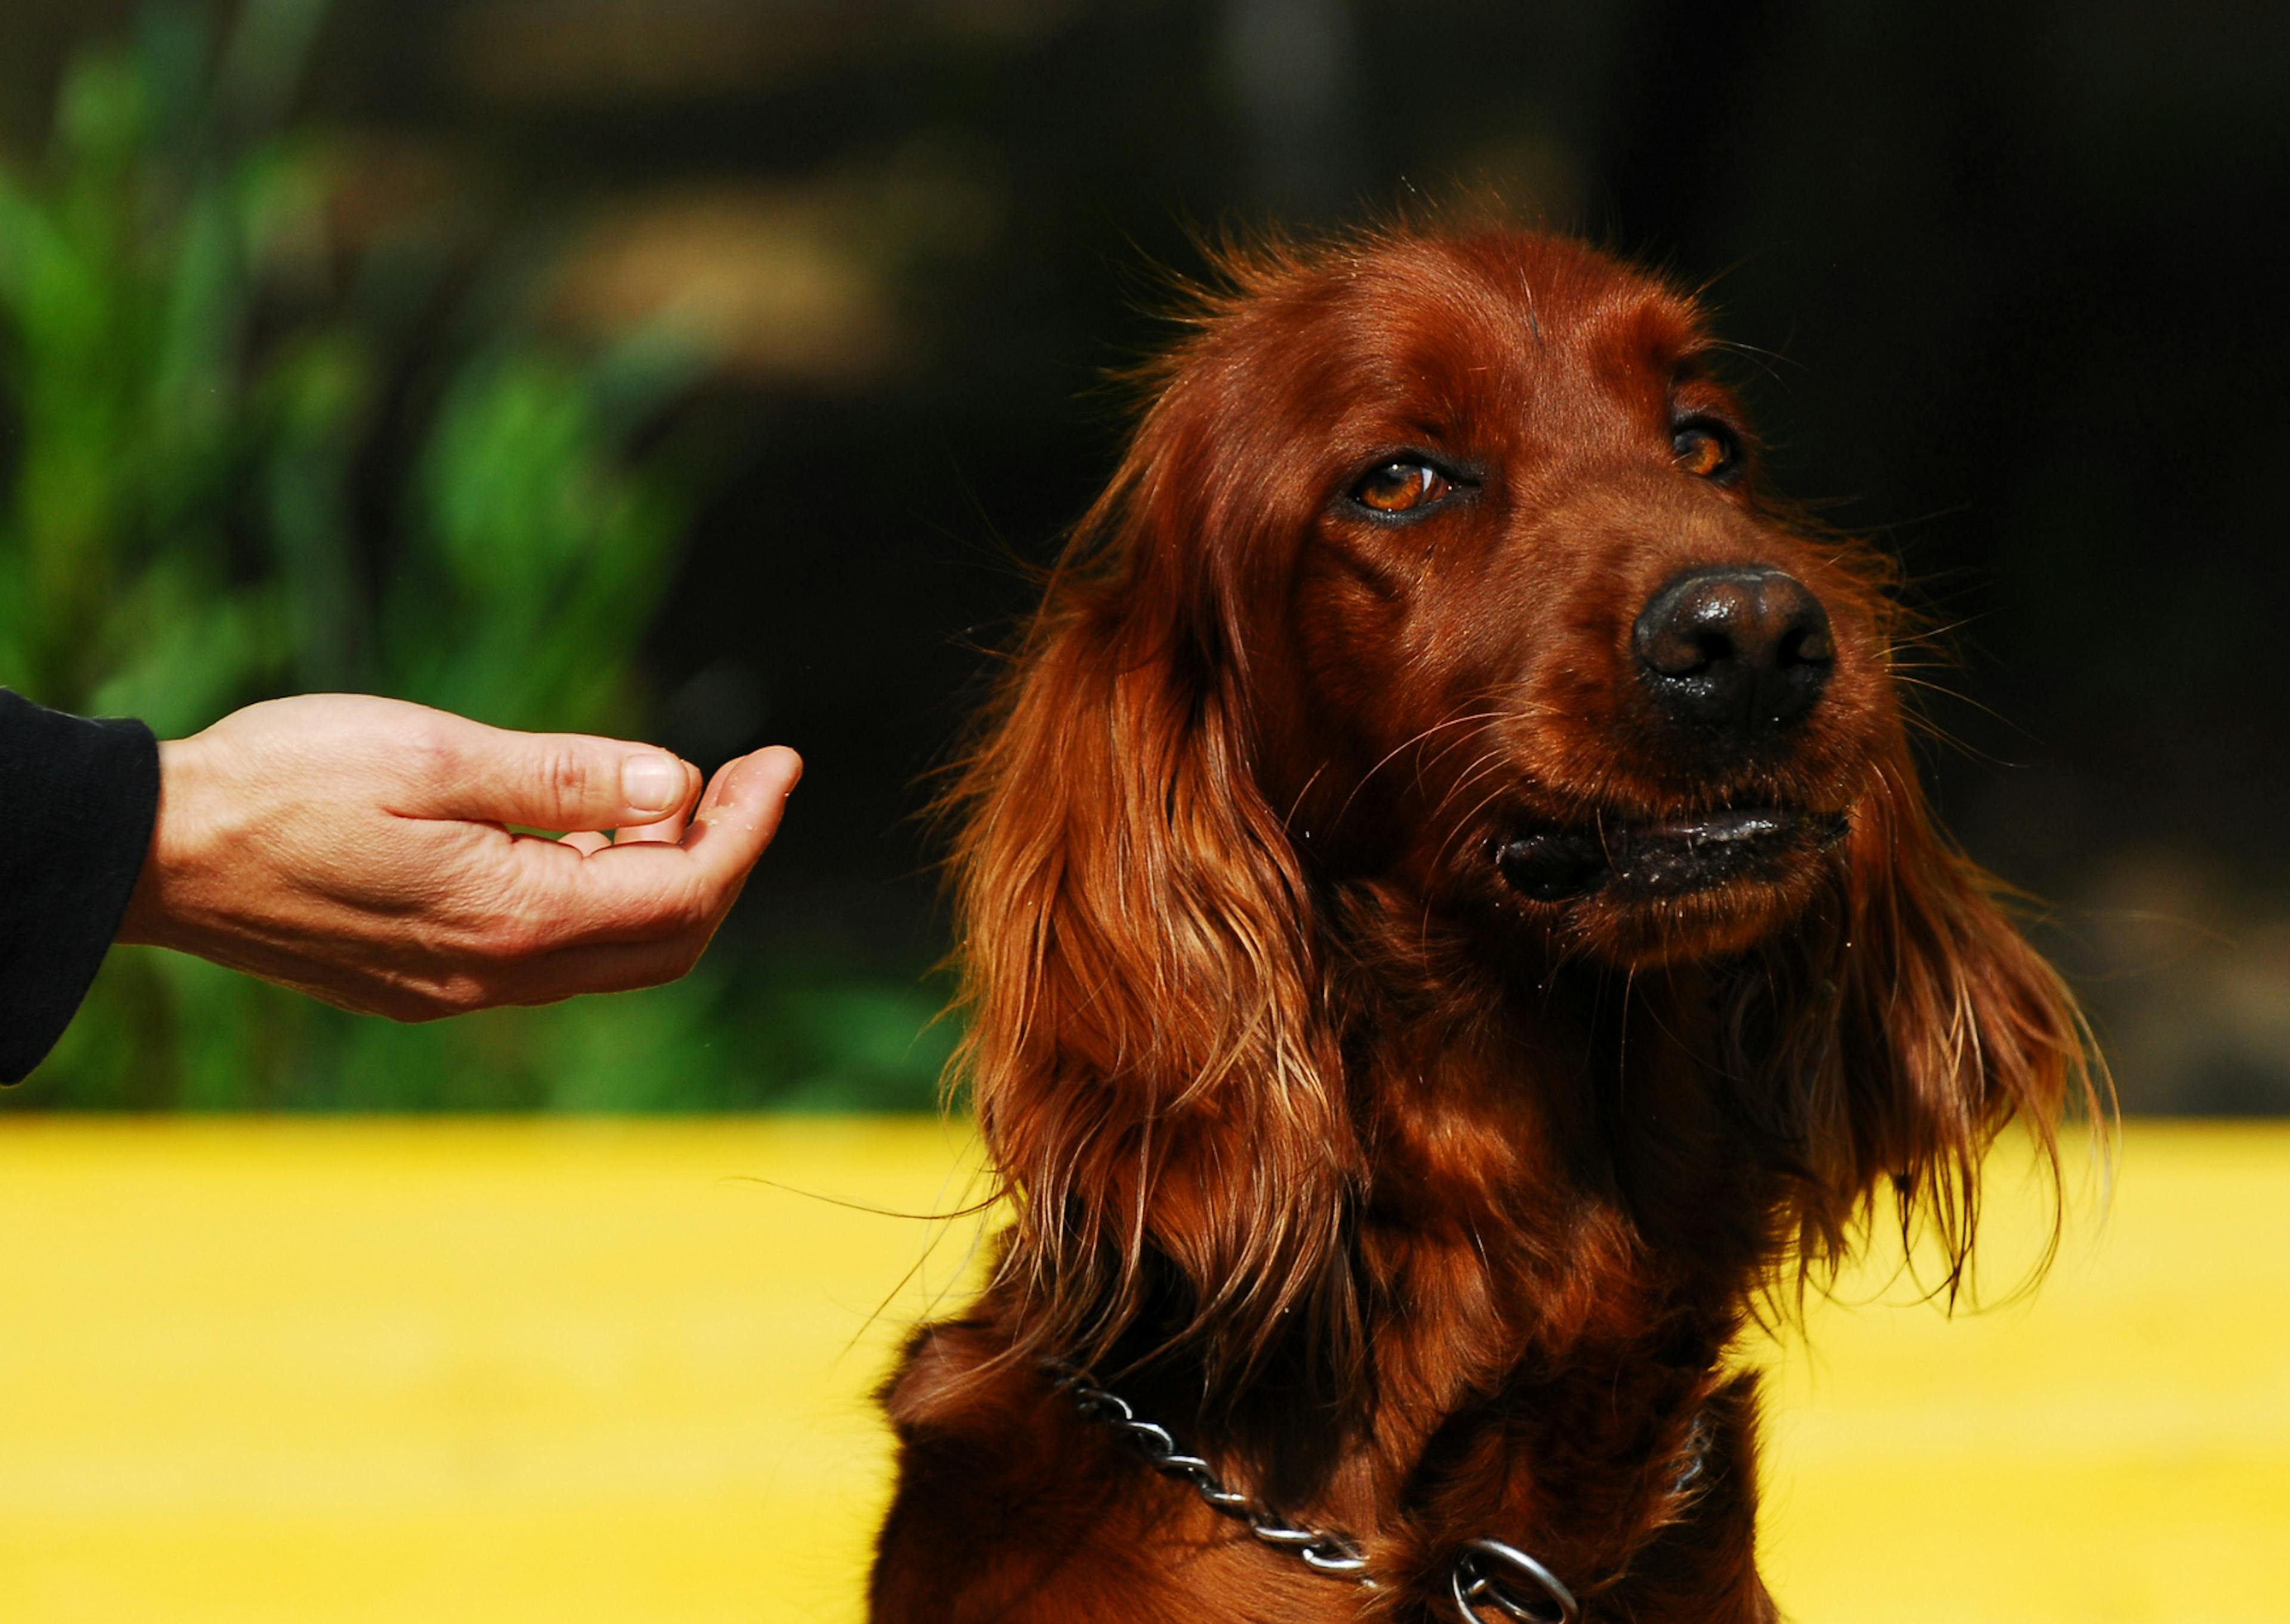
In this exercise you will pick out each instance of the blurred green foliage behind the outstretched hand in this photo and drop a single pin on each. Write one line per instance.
(196, 384)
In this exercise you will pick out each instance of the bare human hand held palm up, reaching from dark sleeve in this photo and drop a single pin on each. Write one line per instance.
(354, 849)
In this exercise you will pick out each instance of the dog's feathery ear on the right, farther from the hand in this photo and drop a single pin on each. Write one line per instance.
(1904, 1032)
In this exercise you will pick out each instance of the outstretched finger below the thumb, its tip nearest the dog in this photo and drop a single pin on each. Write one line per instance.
(654, 892)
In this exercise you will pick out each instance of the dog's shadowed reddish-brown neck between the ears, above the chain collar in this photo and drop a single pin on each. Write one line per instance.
(1551, 1162)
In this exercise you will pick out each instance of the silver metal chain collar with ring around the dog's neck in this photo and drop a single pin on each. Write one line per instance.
(1487, 1575)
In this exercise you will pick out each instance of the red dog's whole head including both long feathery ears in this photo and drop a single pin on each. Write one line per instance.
(1442, 567)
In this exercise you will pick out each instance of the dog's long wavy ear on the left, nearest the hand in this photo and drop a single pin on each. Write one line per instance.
(1148, 1043)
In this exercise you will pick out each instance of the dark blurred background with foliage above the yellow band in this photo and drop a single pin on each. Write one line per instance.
(791, 317)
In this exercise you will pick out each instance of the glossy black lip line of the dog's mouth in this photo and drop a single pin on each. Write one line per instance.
(1661, 856)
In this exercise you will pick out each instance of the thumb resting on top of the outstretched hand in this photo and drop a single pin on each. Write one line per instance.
(544, 780)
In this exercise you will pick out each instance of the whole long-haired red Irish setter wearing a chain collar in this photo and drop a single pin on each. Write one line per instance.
(1448, 927)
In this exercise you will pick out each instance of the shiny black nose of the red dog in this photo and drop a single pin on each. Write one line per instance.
(1737, 652)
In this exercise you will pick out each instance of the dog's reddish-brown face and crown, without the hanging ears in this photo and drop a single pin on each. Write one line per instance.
(1522, 629)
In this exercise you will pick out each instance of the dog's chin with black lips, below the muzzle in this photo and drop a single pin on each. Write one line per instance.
(1668, 890)
